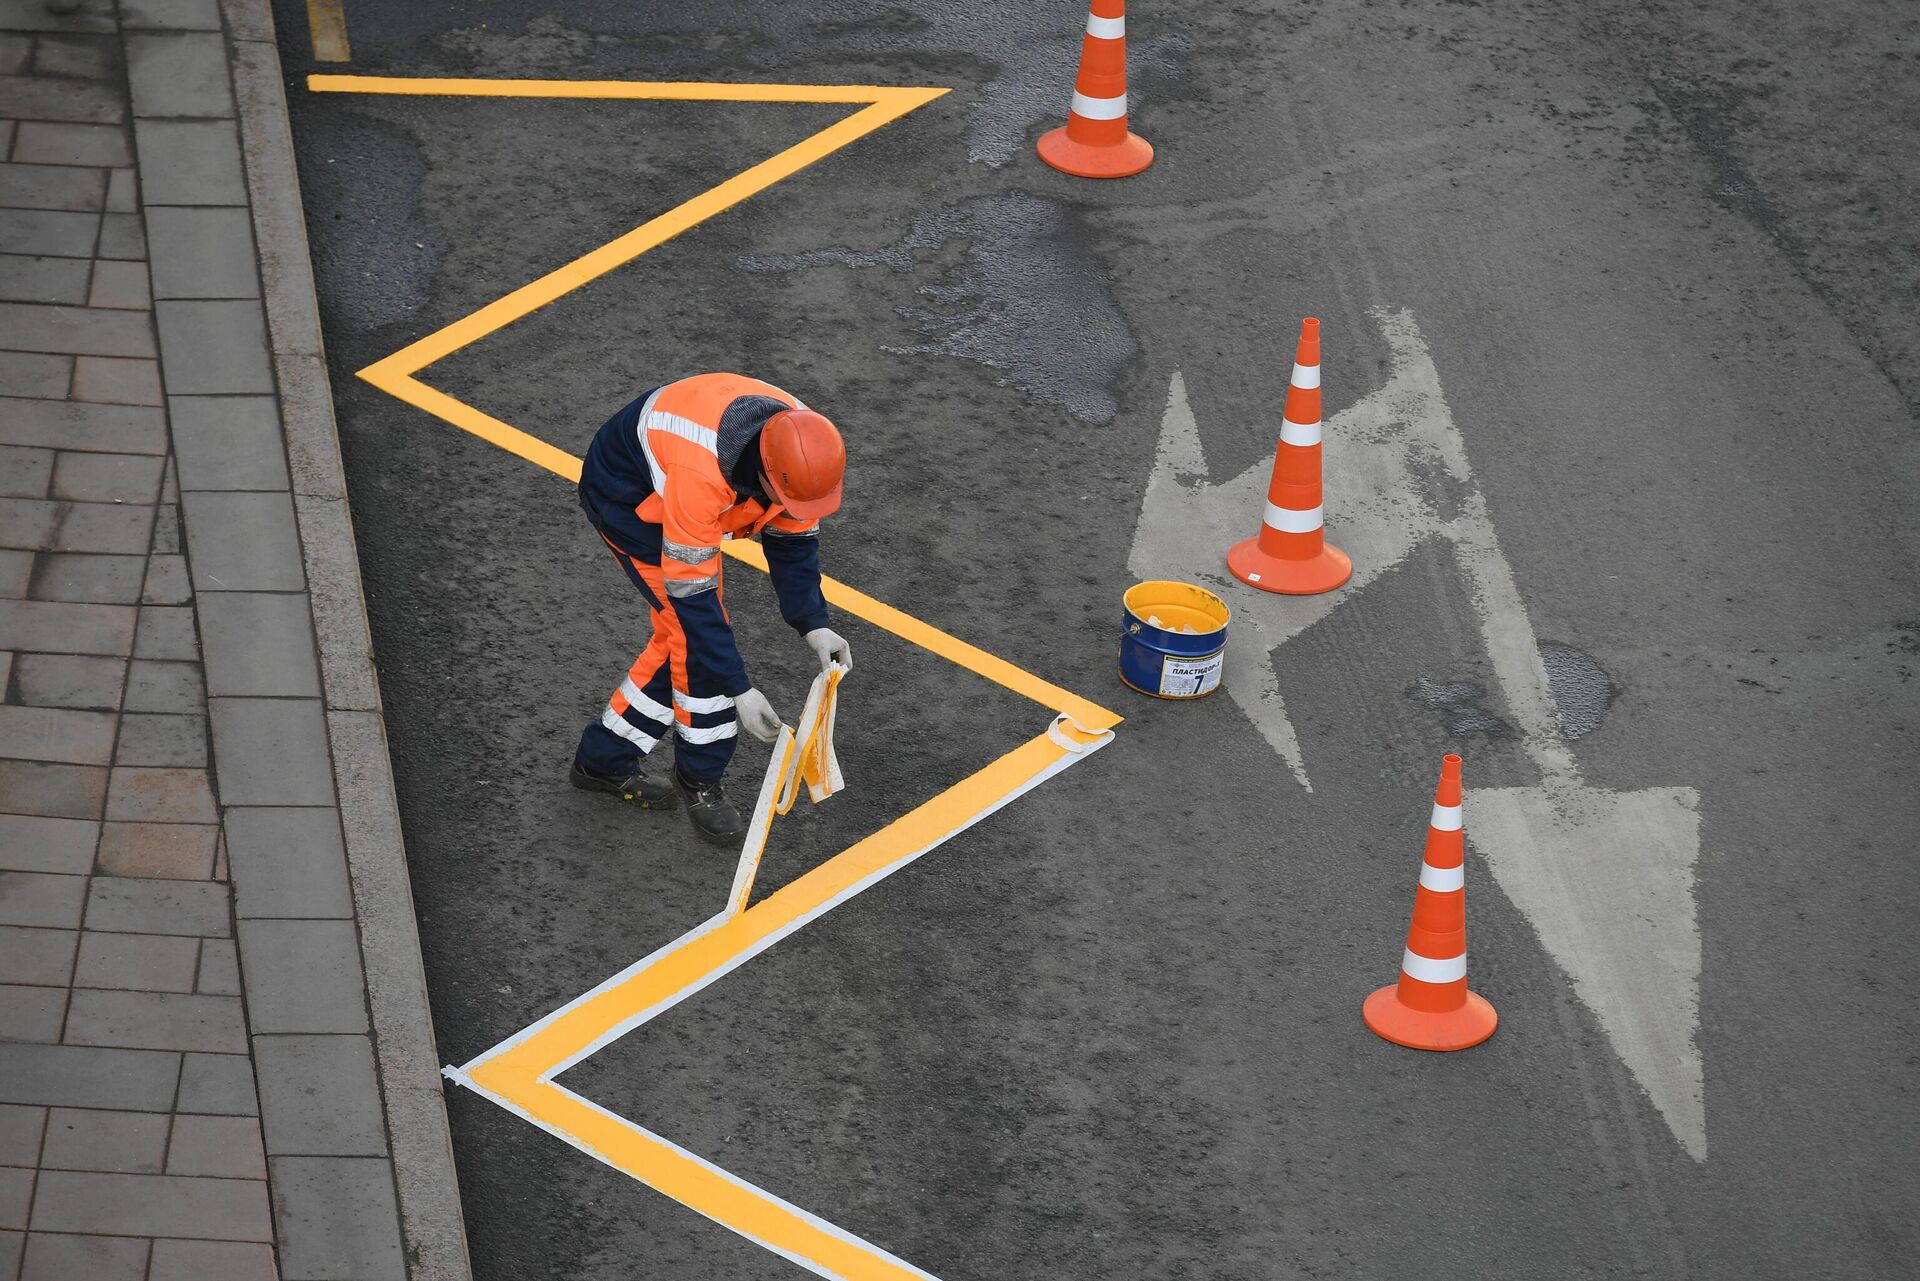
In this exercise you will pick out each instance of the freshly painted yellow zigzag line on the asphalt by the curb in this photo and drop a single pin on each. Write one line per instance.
(519, 1073)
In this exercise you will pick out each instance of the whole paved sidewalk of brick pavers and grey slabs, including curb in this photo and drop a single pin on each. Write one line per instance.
(212, 1067)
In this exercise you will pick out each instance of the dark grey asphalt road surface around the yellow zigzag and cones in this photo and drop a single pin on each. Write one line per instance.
(1635, 289)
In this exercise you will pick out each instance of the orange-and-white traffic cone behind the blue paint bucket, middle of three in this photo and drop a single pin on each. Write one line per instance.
(1291, 552)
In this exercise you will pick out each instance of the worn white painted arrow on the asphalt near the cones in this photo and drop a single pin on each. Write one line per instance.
(1604, 877)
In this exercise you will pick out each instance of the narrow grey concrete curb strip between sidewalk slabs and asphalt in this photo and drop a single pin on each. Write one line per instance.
(377, 861)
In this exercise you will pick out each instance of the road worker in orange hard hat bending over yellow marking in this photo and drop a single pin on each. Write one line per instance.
(665, 481)
